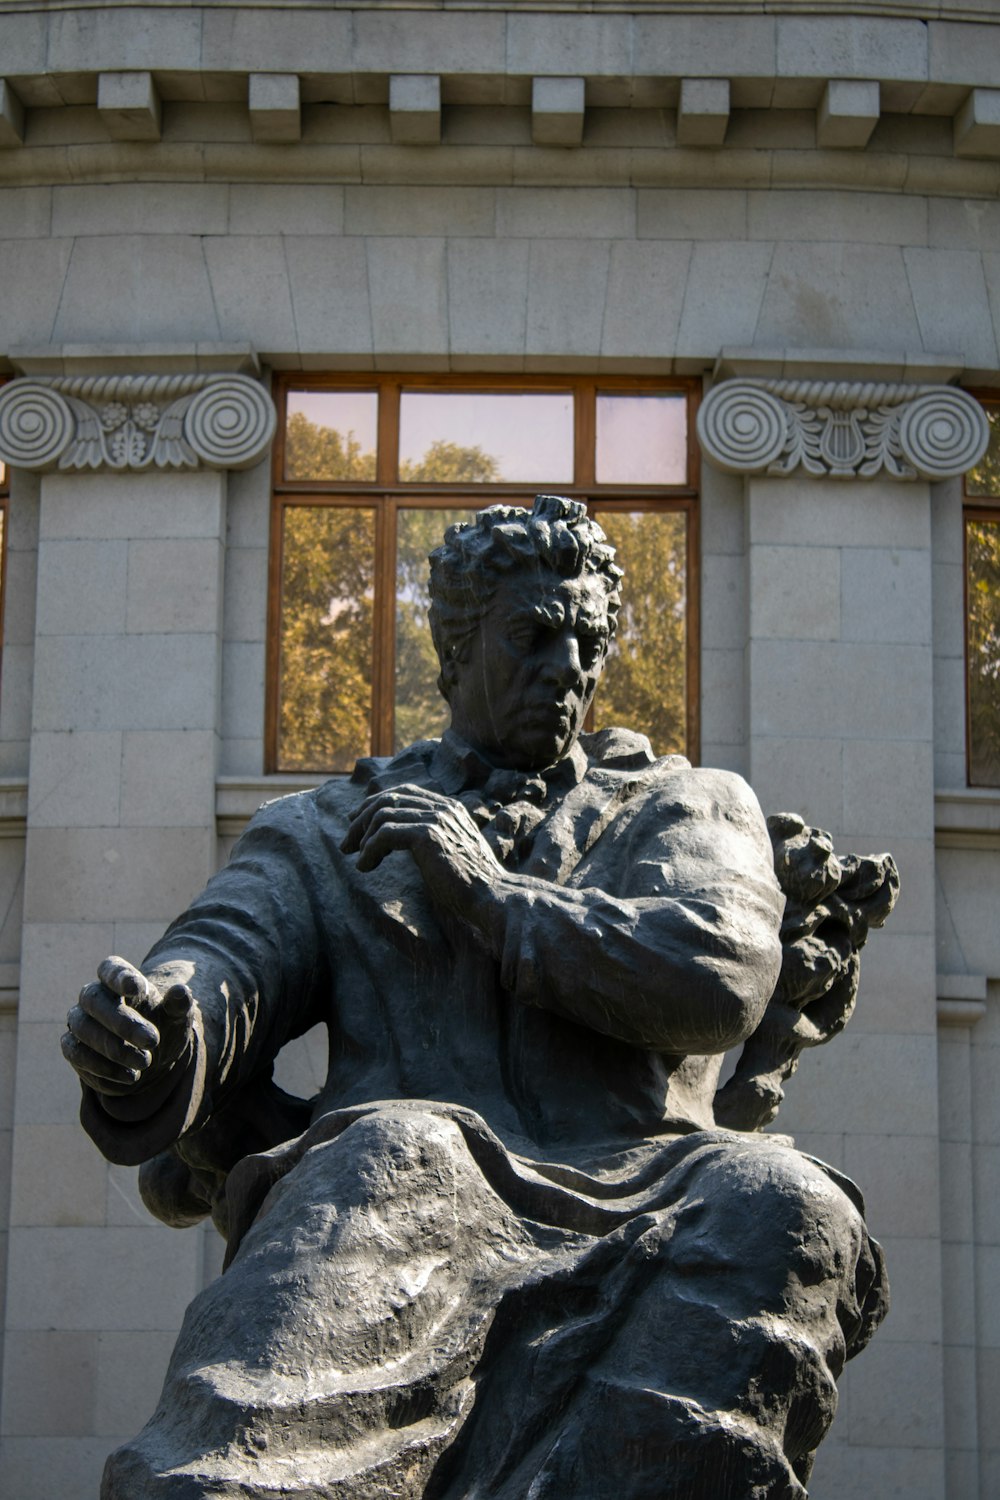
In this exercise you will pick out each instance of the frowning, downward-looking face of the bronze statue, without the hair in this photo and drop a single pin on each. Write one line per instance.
(522, 692)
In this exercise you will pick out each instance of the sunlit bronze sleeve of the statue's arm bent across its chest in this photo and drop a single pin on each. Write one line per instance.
(671, 938)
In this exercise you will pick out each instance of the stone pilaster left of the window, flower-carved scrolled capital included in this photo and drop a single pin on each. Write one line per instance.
(121, 835)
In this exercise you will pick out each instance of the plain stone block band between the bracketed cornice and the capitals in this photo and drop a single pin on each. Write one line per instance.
(501, 277)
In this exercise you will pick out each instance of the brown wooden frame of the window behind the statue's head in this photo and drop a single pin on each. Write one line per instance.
(389, 496)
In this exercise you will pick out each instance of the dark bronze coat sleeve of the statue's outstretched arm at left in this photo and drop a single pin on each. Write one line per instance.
(251, 950)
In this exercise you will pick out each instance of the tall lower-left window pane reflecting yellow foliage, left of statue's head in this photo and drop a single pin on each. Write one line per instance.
(326, 638)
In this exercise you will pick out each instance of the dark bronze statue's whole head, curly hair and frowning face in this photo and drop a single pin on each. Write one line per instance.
(524, 605)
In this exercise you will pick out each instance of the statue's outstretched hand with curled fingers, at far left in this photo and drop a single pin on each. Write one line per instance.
(124, 1033)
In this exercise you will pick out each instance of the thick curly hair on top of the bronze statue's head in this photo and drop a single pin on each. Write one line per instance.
(478, 556)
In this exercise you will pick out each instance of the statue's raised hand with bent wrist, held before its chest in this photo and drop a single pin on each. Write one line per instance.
(440, 833)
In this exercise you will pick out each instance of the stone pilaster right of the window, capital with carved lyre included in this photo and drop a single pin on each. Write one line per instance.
(839, 682)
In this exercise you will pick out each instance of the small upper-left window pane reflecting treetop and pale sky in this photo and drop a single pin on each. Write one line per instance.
(331, 434)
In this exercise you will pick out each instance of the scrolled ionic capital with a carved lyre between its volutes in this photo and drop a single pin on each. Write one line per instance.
(843, 430)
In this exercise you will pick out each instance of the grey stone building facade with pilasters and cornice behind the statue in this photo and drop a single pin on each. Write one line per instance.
(791, 211)
